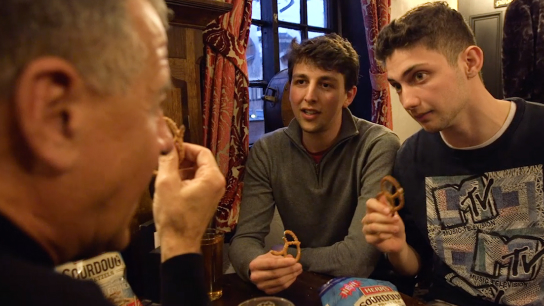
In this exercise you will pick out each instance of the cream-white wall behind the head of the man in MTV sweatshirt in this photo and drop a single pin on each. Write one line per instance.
(403, 124)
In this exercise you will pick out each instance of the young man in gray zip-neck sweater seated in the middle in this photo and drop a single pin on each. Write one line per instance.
(319, 172)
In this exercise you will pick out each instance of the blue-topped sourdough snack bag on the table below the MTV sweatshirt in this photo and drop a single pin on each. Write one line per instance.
(353, 291)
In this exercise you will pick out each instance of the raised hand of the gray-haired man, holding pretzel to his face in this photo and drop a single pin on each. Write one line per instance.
(183, 207)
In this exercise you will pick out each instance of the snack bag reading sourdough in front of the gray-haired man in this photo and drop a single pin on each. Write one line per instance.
(108, 271)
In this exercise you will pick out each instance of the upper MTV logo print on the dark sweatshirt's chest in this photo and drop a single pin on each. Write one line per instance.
(468, 202)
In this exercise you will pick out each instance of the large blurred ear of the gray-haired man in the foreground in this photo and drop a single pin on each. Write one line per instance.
(46, 93)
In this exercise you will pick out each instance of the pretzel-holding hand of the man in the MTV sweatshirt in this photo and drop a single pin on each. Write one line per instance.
(382, 229)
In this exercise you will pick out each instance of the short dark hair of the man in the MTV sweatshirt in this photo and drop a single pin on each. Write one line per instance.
(434, 25)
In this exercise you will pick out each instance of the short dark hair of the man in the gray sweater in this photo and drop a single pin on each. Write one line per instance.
(330, 52)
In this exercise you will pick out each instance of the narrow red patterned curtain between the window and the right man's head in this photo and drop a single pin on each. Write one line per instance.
(376, 14)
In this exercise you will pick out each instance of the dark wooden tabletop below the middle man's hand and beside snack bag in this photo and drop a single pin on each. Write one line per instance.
(303, 292)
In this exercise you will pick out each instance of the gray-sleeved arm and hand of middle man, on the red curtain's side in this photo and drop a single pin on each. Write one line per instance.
(247, 254)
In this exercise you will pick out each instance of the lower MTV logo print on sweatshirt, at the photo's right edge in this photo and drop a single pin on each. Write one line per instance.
(517, 258)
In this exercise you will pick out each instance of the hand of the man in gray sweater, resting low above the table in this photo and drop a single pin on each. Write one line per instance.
(272, 273)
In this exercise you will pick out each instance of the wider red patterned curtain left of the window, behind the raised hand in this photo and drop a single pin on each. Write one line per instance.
(225, 103)
